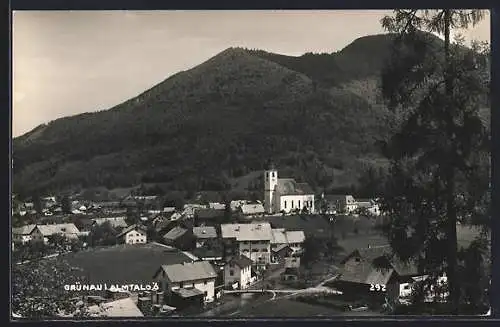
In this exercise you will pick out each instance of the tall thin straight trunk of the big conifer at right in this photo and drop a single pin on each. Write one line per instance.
(454, 288)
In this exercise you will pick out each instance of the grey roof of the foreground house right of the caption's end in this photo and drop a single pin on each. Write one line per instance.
(198, 270)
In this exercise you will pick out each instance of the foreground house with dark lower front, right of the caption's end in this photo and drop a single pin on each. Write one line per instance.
(180, 282)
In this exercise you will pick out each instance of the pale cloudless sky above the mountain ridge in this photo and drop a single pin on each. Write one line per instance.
(69, 62)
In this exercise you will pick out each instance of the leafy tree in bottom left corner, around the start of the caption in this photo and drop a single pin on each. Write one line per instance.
(38, 289)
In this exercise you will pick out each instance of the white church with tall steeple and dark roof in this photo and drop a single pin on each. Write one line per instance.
(285, 194)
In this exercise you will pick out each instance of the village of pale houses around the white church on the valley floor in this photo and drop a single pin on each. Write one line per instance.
(221, 258)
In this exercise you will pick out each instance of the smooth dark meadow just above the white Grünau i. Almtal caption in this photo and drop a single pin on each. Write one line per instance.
(124, 264)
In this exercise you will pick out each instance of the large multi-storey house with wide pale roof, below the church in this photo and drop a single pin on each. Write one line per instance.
(251, 240)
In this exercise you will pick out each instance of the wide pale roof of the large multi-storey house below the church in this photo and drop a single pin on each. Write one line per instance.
(247, 232)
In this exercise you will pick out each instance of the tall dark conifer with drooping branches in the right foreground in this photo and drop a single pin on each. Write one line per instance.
(439, 153)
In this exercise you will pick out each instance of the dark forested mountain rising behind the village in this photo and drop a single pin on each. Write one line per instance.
(316, 116)
